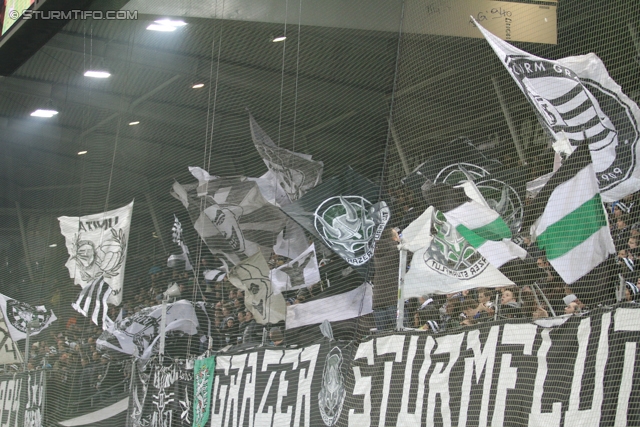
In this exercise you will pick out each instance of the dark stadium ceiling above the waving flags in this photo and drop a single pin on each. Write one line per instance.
(326, 91)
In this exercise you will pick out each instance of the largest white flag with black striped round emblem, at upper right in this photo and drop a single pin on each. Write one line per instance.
(575, 98)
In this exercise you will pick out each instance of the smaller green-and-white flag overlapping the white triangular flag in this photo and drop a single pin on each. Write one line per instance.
(485, 230)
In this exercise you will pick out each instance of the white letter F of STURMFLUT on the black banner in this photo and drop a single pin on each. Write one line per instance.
(524, 335)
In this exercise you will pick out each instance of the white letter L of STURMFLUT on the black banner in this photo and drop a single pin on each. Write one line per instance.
(536, 417)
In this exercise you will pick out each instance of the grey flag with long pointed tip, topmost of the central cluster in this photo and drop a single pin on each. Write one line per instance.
(296, 173)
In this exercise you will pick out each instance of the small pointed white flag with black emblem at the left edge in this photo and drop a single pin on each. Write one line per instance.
(19, 316)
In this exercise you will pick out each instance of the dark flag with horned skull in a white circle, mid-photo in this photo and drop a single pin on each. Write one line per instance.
(345, 214)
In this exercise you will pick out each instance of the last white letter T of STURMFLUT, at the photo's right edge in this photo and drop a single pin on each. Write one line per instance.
(626, 319)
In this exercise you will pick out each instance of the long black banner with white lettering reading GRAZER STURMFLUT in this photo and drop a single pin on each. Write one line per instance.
(576, 371)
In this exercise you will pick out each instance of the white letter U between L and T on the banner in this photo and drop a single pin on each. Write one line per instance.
(588, 417)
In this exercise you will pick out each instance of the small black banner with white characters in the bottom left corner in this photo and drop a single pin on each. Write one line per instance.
(22, 399)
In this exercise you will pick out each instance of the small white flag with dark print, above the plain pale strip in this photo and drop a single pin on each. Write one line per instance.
(298, 273)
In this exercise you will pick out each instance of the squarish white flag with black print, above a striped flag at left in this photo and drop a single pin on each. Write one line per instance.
(97, 246)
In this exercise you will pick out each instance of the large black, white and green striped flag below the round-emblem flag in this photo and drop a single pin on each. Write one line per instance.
(573, 227)
